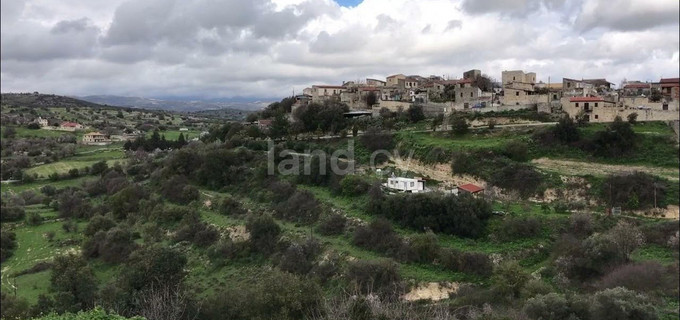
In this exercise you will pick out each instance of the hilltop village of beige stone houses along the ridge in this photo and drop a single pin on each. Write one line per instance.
(594, 100)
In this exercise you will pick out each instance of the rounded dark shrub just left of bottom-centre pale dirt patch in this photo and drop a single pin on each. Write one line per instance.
(373, 275)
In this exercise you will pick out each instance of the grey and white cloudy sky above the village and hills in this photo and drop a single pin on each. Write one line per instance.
(268, 48)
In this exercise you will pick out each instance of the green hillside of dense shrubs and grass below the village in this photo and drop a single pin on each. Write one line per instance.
(204, 231)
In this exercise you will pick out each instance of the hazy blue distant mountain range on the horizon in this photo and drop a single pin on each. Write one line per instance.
(173, 105)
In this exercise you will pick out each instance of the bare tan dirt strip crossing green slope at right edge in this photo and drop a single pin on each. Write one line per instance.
(569, 167)
